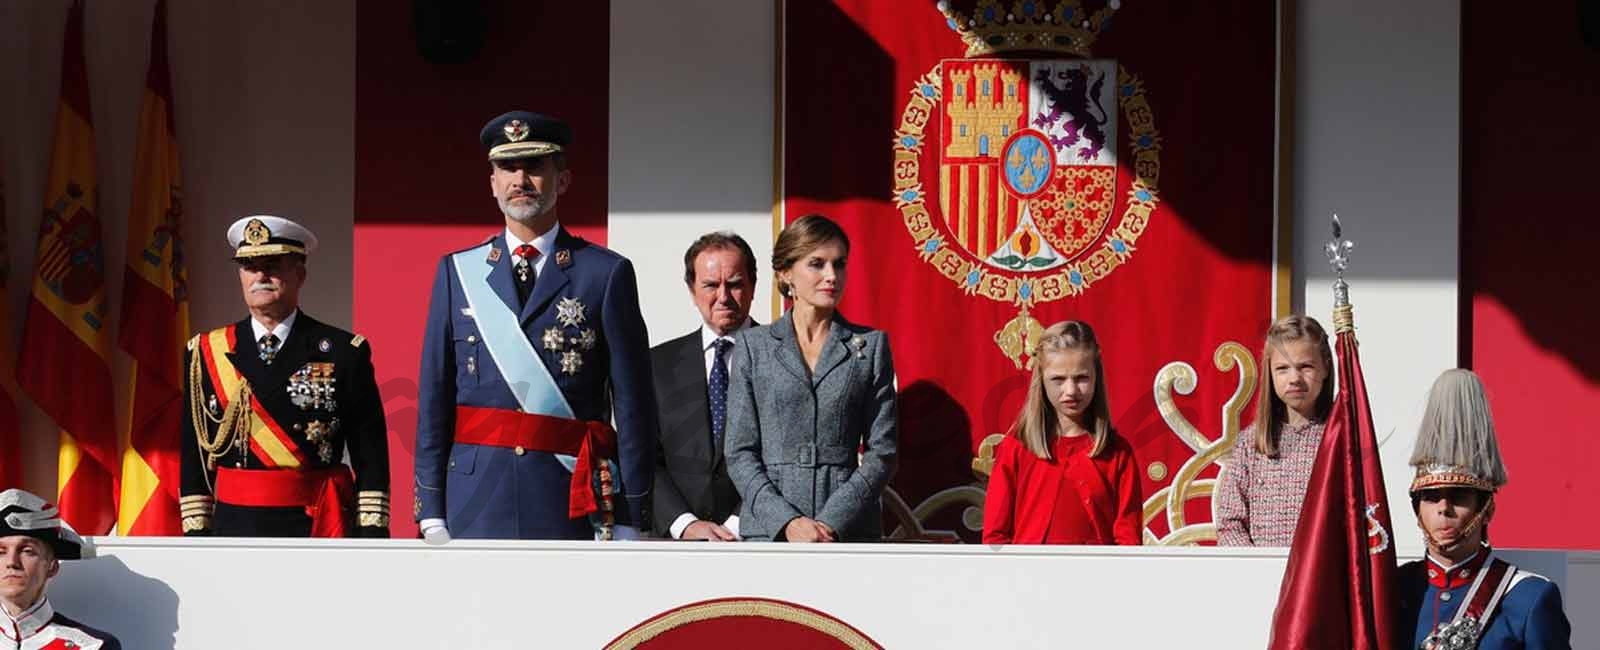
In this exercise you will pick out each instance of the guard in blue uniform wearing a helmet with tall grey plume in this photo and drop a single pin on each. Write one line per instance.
(1462, 596)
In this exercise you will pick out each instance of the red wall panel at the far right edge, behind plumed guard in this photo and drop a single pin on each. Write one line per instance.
(1529, 97)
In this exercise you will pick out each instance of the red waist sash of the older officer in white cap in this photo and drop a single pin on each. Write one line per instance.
(322, 492)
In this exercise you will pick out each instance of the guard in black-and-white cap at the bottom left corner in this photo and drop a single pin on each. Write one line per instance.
(33, 544)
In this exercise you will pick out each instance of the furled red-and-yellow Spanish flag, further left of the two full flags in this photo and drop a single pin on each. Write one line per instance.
(66, 345)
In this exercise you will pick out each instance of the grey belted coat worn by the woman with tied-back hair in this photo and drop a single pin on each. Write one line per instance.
(793, 436)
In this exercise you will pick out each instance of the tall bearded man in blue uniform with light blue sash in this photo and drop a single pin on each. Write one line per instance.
(534, 347)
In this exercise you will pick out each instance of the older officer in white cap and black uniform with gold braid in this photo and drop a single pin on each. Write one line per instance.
(276, 403)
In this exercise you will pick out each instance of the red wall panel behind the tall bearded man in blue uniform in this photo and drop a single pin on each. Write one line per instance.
(422, 177)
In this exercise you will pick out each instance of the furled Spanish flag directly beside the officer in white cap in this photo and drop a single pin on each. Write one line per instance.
(154, 311)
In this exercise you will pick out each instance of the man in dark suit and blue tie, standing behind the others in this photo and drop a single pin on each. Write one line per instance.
(694, 497)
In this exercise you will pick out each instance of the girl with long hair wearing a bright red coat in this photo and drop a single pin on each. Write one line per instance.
(1063, 476)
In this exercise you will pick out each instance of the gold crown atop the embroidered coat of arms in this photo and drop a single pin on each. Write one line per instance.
(996, 26)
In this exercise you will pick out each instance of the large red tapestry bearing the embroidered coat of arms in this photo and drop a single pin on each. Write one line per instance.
(1006, 166)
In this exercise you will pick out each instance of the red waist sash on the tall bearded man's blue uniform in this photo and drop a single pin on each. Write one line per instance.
(591, 441)
